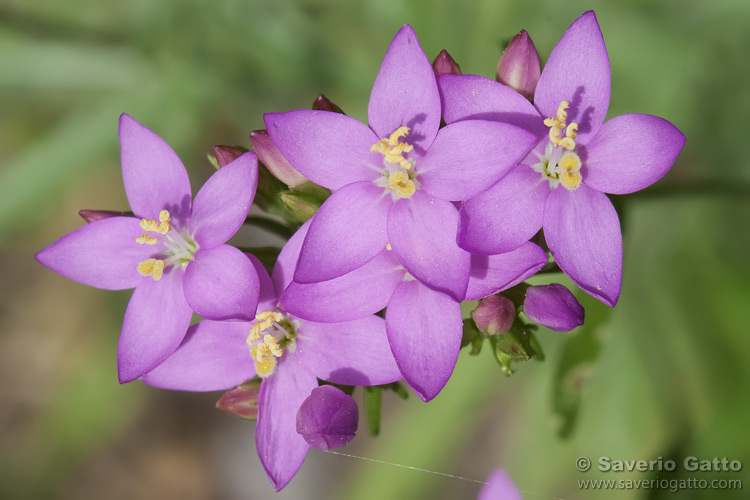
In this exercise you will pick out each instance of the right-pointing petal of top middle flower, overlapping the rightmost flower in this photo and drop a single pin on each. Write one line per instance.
(468, 157)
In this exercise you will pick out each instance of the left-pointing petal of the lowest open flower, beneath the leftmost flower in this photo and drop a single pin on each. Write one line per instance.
(214, 356)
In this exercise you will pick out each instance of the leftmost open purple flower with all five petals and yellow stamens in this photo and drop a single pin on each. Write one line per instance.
(172, 251)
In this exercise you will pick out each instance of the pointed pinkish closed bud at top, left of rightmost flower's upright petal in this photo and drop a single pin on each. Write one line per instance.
(519, 67)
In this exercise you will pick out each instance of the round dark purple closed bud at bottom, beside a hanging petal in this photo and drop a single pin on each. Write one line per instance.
(328, 418)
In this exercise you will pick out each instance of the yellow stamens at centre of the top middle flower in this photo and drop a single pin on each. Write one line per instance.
(398, 176)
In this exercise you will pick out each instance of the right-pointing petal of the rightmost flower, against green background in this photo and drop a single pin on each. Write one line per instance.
(631, 152)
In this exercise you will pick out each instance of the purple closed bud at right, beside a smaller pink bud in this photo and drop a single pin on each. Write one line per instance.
(553, 306)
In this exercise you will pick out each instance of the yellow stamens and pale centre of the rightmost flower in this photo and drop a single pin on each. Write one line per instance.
(560, 164)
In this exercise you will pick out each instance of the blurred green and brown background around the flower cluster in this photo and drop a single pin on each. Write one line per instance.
(664, 374)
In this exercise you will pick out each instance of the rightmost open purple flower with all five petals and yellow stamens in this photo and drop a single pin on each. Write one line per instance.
(561, 184)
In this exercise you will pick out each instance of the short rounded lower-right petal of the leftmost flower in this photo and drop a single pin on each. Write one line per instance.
(221, 283)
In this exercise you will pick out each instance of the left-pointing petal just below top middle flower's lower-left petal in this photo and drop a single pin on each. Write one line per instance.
(357, 294)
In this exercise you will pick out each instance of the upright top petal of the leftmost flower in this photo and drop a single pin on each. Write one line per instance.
(154, 176)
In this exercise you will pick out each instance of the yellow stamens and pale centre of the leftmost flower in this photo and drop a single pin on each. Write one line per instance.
(179, 247)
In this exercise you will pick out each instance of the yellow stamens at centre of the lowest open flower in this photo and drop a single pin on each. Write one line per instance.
(264, 350)
